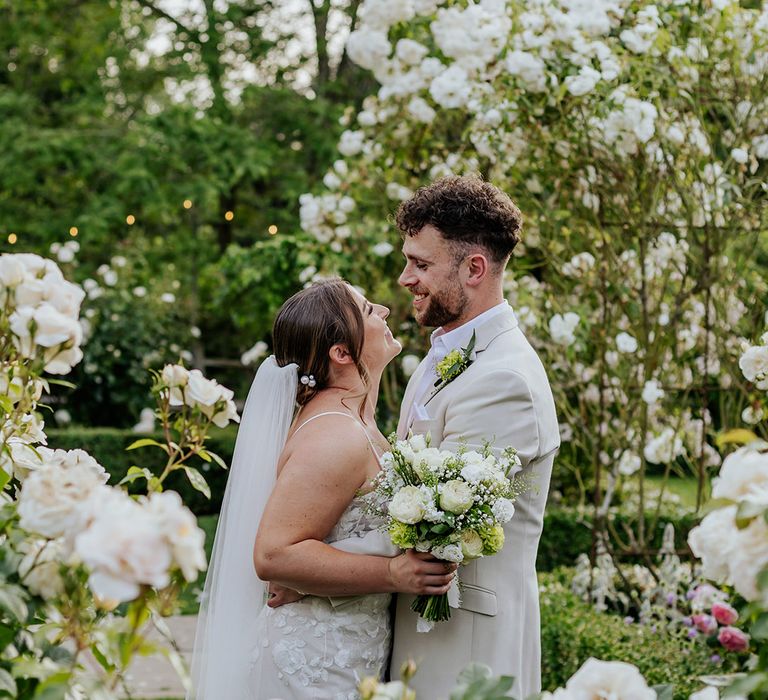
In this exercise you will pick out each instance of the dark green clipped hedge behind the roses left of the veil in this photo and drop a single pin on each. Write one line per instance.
(108, 447)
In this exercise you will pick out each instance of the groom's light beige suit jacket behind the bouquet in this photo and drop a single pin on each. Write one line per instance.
(503, 396)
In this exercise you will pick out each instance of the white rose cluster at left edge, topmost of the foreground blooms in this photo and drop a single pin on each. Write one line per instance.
(43, 311)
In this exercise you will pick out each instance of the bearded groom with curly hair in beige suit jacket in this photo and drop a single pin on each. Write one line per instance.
(458, 234)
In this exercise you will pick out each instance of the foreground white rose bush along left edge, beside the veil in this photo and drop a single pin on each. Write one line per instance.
(87, 567)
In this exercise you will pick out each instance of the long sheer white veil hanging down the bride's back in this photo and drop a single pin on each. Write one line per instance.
(233, 595)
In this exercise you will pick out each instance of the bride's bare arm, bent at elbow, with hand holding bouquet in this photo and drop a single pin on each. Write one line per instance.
(316, 484)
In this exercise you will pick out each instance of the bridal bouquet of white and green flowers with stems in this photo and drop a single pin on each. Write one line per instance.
(451, 504)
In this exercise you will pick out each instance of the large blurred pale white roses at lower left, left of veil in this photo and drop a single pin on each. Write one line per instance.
(125, 543)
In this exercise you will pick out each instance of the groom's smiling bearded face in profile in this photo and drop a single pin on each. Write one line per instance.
(433, 275)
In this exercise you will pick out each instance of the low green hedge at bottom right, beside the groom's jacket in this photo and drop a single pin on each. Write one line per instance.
(572, 631)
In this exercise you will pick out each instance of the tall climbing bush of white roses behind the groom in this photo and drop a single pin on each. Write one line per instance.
(634, 138)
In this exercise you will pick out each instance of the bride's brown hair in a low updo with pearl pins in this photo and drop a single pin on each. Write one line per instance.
(310, 323)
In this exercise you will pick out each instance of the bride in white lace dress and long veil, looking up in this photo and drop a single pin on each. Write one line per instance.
(297, 485)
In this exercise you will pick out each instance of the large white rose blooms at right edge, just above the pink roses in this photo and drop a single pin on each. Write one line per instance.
(730, 541)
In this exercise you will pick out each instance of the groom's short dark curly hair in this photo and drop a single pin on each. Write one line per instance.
(468, 211)
